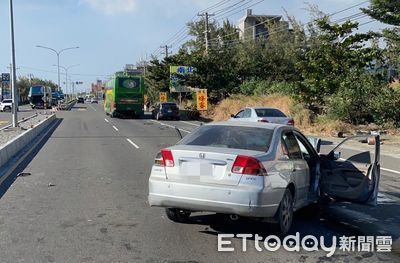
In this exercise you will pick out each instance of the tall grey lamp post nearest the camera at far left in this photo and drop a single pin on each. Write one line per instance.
(13, 71)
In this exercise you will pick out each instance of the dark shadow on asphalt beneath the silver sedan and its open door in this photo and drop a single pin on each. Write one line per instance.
(333, 220)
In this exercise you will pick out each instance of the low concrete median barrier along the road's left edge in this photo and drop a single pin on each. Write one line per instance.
(12, 149)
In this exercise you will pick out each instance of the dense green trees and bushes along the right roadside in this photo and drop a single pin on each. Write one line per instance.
(333, 71)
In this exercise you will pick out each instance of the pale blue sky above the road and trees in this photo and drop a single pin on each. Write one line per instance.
(113, 33)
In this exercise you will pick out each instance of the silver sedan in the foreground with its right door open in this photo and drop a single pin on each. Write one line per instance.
(257, 170)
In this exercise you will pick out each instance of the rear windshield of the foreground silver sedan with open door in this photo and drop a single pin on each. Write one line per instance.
(237, 137)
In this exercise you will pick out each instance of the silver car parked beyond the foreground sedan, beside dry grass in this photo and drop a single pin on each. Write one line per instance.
(262, 114)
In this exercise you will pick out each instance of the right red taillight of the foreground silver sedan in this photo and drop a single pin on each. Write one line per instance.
(248, 165)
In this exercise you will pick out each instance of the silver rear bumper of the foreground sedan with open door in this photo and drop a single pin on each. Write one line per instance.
(243, 201)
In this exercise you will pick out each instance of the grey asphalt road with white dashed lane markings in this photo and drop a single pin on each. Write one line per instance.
(85, 200)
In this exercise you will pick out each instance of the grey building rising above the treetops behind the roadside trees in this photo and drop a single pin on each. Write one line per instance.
(256, 26)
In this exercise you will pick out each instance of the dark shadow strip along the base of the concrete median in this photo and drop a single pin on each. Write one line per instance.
(20, 168)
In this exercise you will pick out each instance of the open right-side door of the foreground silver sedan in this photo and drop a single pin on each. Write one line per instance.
(350, 175)
